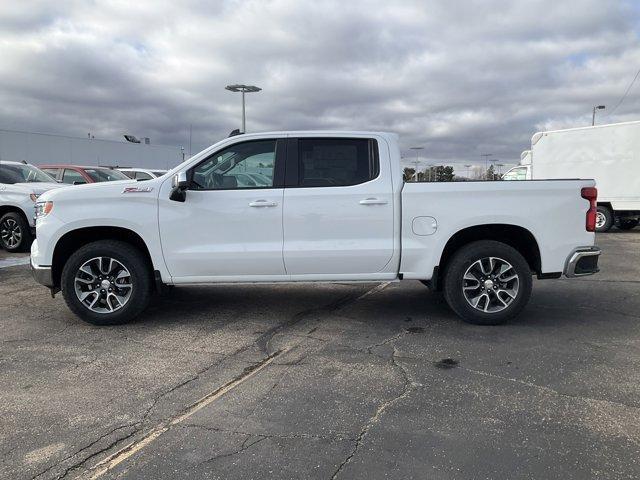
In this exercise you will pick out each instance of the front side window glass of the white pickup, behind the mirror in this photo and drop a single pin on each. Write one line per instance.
(243, 165)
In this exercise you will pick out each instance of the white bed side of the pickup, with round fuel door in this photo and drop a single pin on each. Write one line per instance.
(553, 211)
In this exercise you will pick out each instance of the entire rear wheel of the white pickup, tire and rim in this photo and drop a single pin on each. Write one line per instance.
(487, 283)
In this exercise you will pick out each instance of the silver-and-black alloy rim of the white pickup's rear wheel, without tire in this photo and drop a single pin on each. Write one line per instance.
(490, 284)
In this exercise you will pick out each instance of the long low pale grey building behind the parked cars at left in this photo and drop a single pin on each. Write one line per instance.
(40, 148)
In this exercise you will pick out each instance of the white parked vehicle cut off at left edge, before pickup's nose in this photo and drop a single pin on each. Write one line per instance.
(20, 186)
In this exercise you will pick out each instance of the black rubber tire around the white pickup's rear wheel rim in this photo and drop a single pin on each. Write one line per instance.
(454, 282)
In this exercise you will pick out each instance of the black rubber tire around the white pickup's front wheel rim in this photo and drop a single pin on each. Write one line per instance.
(129, 257)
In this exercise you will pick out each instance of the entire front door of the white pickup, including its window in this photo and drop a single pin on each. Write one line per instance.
(227, 227)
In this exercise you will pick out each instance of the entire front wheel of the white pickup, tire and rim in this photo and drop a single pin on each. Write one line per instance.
(107, 282)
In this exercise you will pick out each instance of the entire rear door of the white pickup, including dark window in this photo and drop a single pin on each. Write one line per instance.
(337, 229)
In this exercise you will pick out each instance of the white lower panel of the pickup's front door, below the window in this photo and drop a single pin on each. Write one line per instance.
(217, 233)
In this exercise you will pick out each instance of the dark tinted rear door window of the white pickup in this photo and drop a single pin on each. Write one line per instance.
(336, 162)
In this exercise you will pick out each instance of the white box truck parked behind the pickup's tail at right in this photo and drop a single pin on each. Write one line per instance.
(610, 154)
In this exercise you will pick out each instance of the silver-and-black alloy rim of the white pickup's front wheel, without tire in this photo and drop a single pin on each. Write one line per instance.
(103, 285)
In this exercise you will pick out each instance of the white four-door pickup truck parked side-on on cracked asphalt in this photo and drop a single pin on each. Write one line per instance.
(335, 209)
